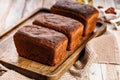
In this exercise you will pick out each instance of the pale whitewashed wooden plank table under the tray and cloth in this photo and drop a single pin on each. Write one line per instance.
(11, 11)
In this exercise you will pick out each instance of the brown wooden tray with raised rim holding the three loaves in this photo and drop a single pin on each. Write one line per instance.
(34, 69)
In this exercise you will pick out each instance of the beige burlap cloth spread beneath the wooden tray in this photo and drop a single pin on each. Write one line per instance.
(105, 48)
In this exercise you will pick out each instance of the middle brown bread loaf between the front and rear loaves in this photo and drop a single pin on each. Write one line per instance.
(71, 28)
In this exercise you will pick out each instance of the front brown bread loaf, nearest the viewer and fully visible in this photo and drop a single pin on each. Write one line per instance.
(41, 44)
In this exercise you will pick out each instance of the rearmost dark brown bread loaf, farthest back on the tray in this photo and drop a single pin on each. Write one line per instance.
(86, 14)
